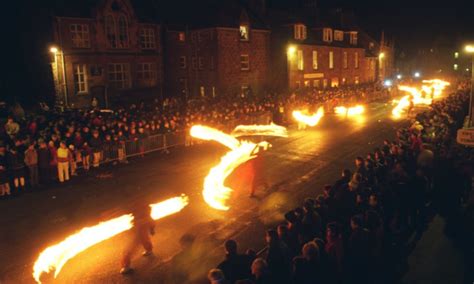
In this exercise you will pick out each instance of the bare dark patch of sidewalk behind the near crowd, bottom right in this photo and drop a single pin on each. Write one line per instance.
(435, 259)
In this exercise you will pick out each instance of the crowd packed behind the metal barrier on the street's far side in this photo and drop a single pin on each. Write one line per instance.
(44, 147)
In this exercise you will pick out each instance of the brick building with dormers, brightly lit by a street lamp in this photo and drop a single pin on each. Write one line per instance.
(312, 54)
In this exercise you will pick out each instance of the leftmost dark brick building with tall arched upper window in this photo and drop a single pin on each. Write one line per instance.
(107, 50)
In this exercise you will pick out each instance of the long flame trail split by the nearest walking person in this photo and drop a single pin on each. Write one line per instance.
(55, 256)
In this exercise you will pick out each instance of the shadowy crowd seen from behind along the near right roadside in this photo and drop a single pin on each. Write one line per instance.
(357, 231)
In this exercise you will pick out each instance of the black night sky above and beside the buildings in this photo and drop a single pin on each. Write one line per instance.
(412, 24)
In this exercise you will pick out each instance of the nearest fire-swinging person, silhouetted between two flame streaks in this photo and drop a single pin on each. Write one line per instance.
(143, 227)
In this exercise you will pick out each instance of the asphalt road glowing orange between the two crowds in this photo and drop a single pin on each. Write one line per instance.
(297, 167)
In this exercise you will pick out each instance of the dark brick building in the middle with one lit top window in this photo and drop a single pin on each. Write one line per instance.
(223, 51)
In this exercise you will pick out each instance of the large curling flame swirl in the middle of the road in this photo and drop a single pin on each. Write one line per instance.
(215, 193)
